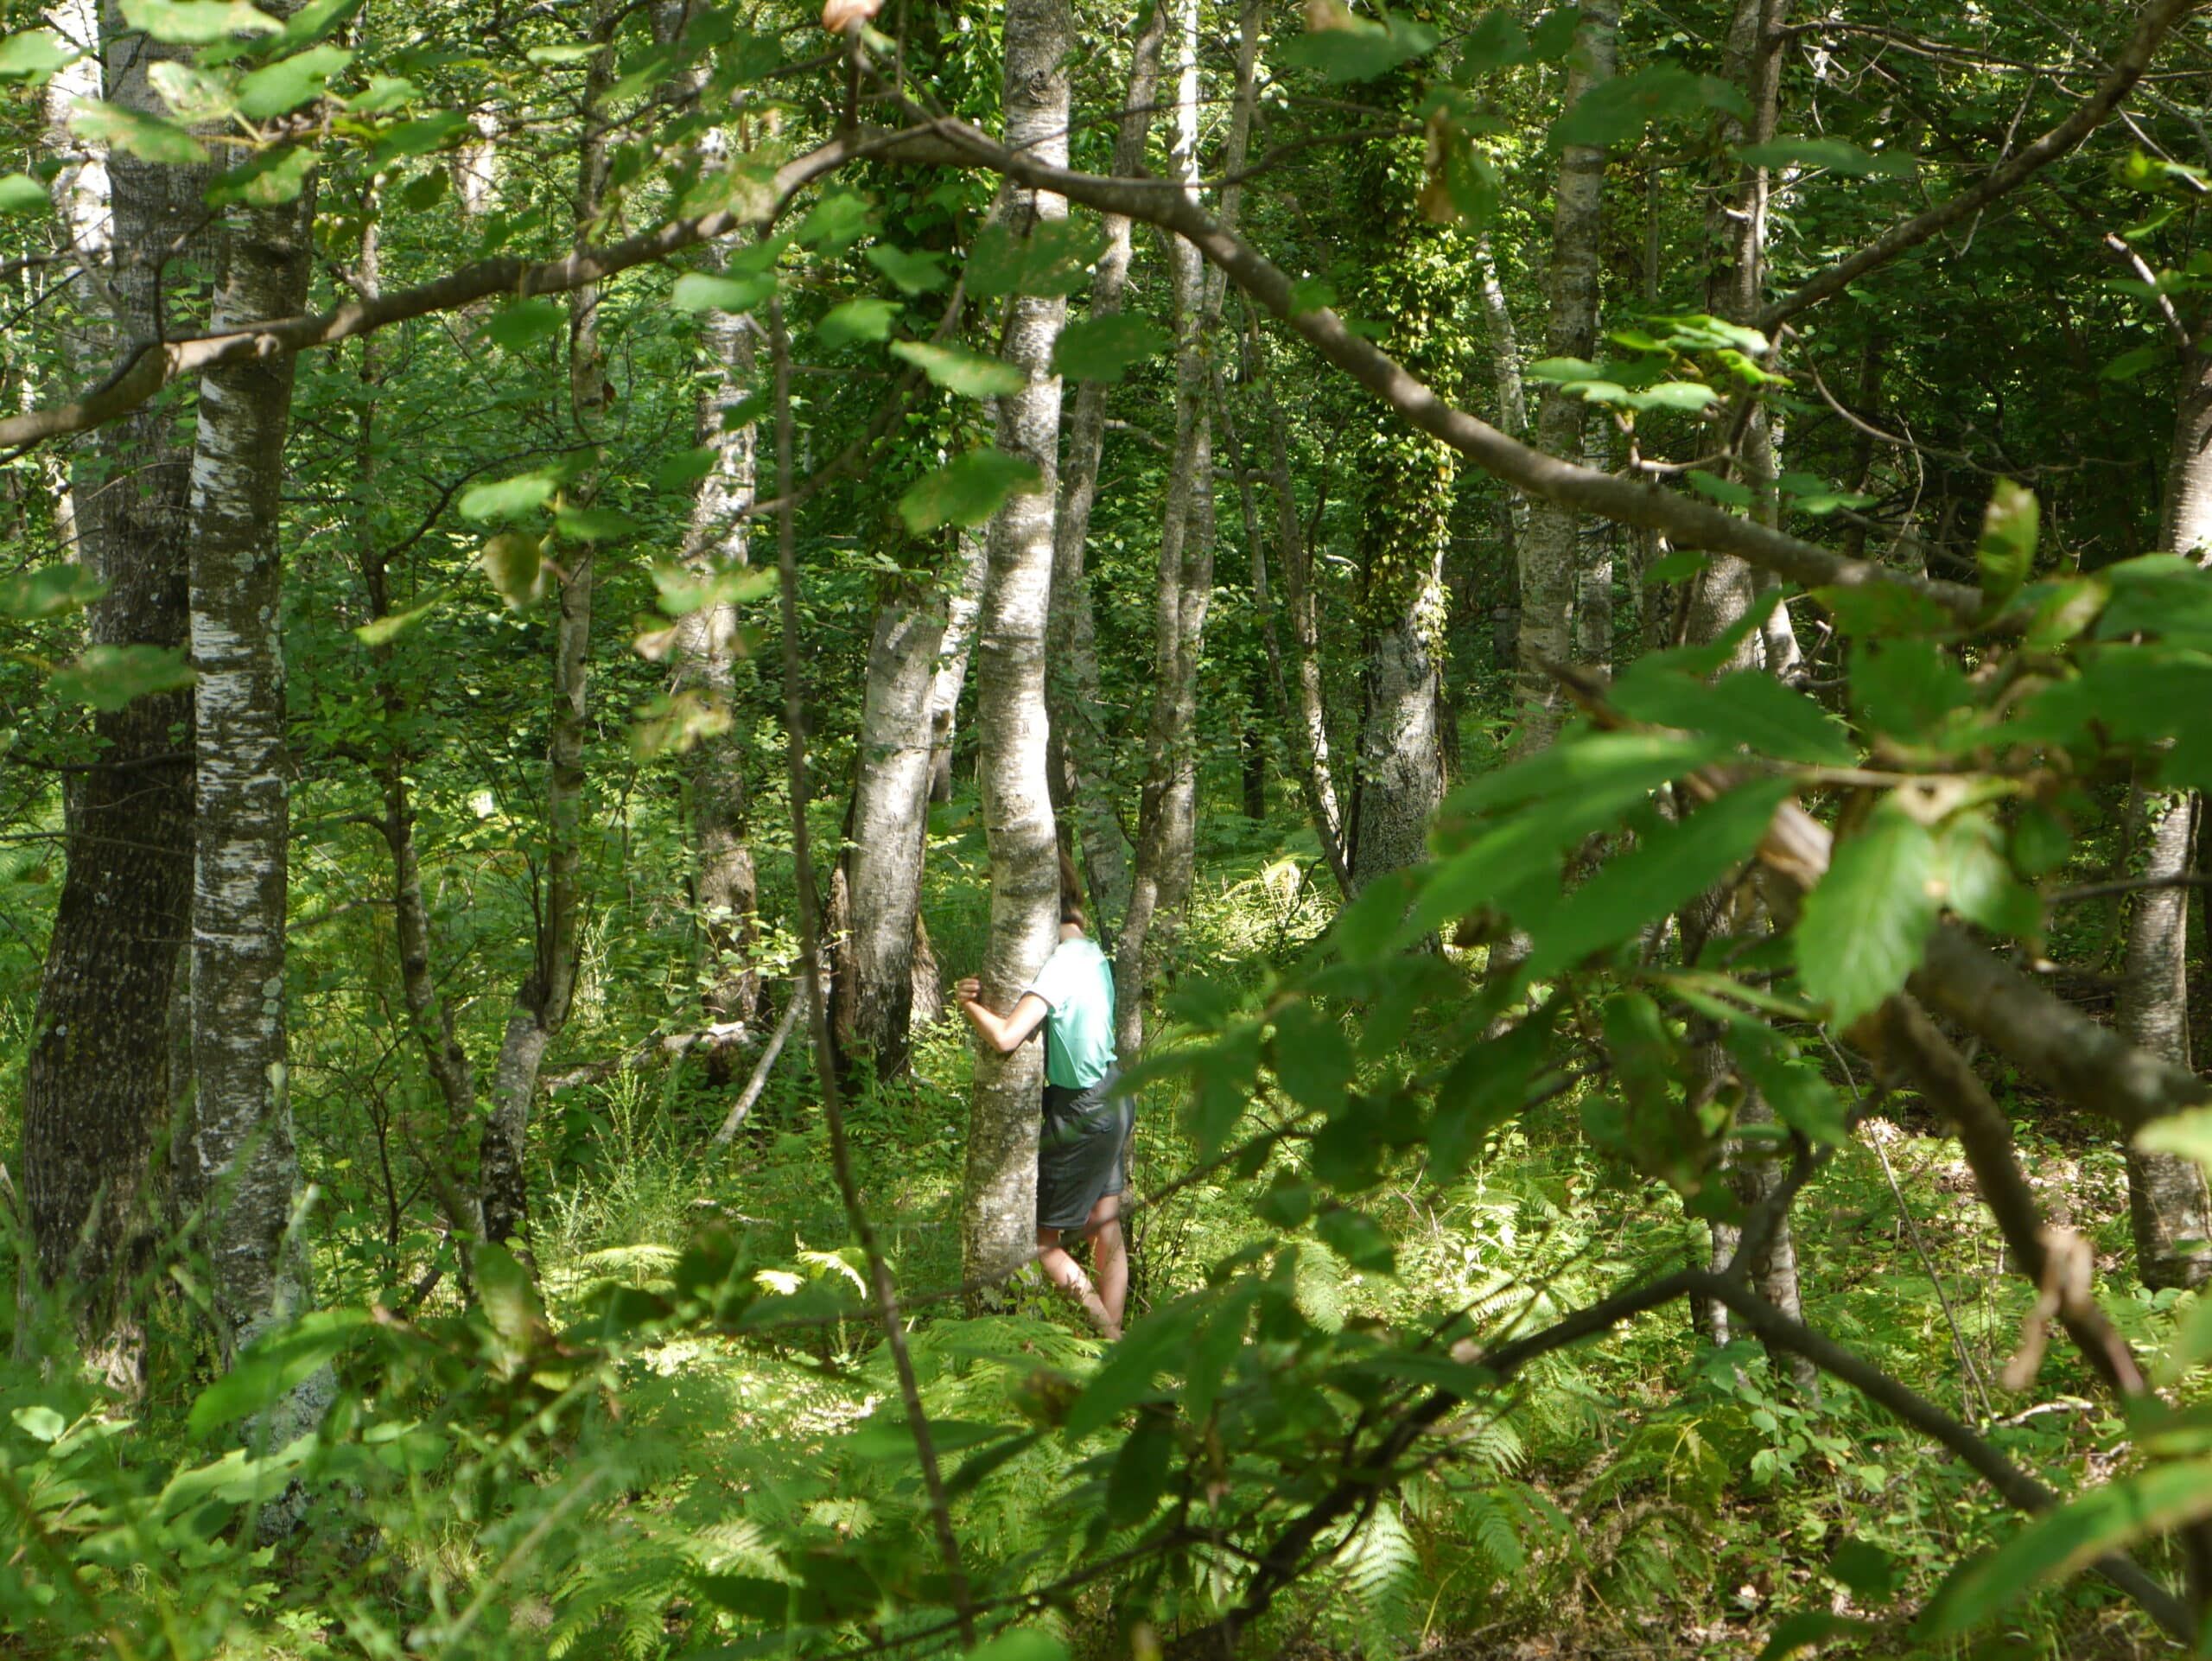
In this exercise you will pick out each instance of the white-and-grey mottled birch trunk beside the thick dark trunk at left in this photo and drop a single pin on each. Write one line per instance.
(242, 1118)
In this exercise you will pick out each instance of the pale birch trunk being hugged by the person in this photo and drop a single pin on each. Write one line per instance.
(1001, 1191)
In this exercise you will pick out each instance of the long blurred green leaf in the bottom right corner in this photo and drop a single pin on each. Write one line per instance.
(2067, 1540)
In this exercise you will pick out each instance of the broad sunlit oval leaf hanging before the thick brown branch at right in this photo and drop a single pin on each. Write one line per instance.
(1866, 923)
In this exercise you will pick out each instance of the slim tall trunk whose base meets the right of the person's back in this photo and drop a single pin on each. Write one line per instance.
(1167, 808)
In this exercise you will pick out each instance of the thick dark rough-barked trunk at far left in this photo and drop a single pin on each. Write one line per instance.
(98, 1076)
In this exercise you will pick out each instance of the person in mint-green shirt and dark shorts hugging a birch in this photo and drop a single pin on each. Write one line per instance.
(1083, 1145)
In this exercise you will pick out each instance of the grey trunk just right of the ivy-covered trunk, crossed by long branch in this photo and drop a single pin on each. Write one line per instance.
(1550, 550)
